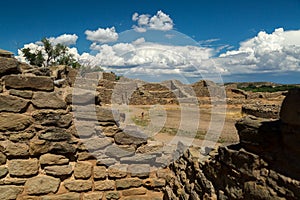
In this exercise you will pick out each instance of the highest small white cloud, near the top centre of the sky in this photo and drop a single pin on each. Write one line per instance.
(160, 21)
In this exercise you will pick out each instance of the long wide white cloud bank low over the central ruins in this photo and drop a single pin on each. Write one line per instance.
(152, 58)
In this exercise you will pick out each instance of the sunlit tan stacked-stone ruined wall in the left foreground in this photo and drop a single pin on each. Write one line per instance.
(45, 153)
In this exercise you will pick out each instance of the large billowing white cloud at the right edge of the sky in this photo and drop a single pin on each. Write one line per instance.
(274, 52)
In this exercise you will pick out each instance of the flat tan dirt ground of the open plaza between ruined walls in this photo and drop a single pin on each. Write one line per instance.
(166, 123)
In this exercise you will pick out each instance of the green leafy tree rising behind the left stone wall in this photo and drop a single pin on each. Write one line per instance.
(53, 55)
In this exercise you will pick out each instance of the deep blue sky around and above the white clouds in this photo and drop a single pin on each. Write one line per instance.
(226, 22)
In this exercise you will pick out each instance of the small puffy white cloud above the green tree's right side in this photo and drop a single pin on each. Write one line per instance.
(102, 35)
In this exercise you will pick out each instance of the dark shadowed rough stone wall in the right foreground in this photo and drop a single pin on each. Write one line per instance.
(264, 165)
